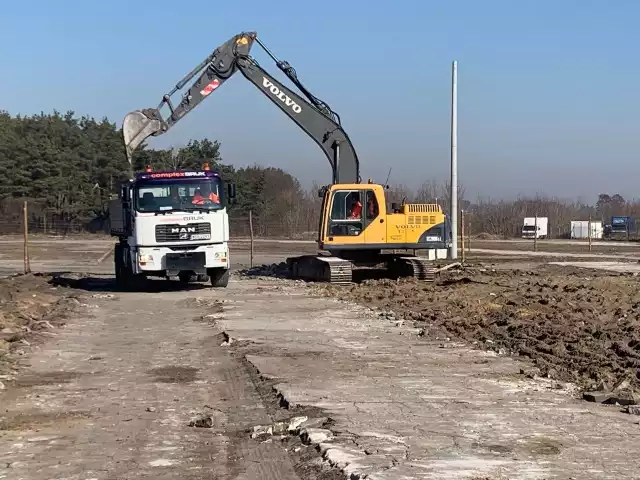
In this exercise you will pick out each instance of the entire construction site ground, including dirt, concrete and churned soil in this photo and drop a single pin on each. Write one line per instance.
(480, 375)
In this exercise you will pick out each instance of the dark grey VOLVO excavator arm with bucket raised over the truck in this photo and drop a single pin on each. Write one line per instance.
(312, 115)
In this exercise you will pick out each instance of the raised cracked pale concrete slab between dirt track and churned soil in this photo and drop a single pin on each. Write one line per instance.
(411, 408)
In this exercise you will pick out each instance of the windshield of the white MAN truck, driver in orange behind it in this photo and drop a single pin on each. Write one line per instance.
(161, 195)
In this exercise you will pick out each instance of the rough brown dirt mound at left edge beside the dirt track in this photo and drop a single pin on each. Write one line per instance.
(29, 304)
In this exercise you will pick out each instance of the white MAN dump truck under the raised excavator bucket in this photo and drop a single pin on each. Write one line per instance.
(172, 224)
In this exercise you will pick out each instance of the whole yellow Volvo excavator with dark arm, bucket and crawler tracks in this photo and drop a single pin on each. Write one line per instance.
(358, 227)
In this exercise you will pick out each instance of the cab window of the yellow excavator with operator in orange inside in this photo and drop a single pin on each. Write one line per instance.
(351, 212)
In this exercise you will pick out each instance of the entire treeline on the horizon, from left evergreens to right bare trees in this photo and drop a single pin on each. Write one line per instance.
(67, 167)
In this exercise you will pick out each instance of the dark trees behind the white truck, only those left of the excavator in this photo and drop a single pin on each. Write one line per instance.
(68, 168)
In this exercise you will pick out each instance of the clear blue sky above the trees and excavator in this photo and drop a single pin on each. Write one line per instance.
(548, 90)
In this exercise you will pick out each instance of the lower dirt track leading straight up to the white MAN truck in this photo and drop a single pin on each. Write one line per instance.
(111, 396)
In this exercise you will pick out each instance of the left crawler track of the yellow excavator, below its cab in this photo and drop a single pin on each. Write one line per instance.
(320, 268)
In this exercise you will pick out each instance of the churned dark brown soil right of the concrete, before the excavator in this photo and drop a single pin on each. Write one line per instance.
(578, 326)
